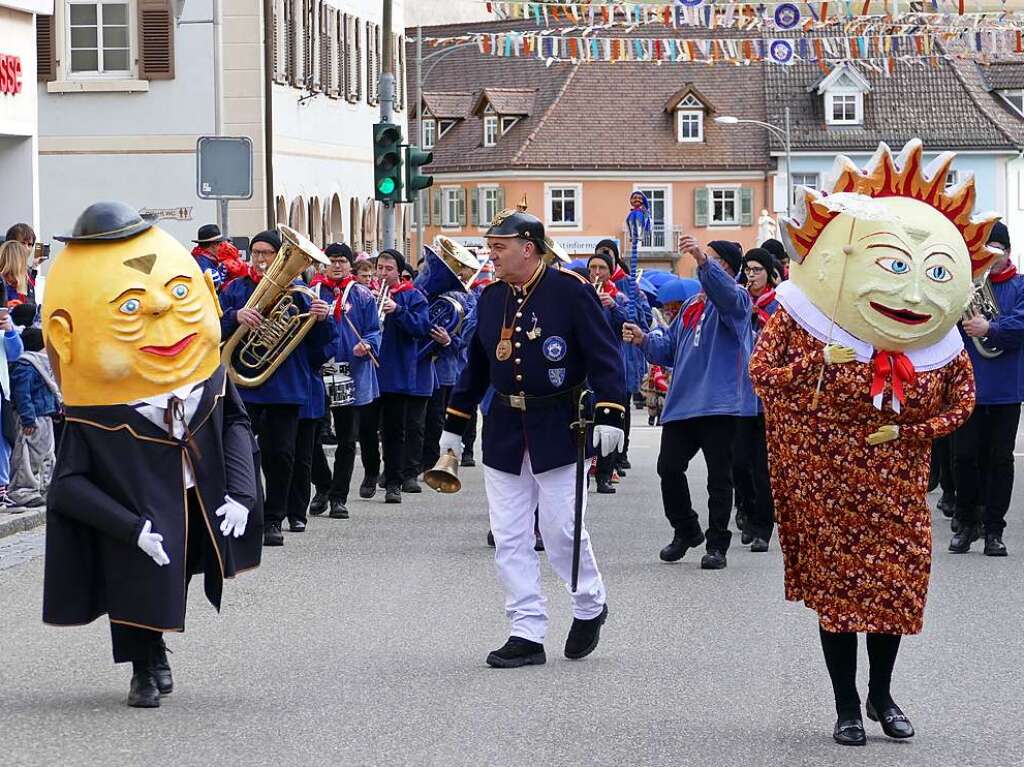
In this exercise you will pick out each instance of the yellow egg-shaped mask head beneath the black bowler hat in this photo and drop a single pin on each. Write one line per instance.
(131, 319)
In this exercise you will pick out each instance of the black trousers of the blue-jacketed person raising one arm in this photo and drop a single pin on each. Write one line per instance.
(712, 436)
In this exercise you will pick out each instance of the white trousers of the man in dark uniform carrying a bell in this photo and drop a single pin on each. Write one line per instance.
(511, 501)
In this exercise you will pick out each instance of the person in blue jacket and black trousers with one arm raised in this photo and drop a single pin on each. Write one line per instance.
(709, 348)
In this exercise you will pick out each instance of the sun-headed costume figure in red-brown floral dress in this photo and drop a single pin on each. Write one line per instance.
(861, 369)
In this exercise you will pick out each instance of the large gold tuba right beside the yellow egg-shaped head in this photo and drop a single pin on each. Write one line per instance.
(253, 355)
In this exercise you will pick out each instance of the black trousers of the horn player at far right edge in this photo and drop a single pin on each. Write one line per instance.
(985, 465)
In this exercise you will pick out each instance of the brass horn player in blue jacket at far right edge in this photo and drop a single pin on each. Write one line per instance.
(984, 448)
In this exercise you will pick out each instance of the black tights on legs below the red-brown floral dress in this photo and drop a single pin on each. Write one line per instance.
(841, 658)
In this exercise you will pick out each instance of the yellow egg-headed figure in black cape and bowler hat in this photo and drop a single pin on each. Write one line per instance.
(155, 478)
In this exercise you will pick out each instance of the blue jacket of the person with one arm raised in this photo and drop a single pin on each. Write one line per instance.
(709, 362)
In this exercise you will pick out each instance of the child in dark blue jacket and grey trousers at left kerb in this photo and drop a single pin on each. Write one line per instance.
(37, 400)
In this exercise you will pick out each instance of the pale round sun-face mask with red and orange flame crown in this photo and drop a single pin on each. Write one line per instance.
(890, 253)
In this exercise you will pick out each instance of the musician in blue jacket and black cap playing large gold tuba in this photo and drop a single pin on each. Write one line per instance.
(274, 407)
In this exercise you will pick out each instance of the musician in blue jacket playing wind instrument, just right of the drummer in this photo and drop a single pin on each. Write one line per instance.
(402, 382)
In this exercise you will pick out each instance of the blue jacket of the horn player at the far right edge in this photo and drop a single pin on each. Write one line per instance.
(1001, 381)
